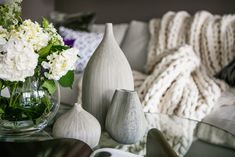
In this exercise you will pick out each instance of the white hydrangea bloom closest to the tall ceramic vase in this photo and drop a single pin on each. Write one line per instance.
(60, 63)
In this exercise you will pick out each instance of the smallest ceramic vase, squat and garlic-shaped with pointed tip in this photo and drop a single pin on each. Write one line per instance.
(78, 124)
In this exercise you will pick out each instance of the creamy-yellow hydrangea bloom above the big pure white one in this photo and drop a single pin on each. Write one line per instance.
(33, 34)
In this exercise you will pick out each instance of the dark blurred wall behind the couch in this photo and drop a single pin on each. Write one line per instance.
(124, 10)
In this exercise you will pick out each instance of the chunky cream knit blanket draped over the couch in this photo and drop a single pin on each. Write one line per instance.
(184, 54)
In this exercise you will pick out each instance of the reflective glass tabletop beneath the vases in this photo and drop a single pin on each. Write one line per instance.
(187, 138)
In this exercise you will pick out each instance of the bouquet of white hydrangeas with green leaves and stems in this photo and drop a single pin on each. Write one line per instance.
(30, 50)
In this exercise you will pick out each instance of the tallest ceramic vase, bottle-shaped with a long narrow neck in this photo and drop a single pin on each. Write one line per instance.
(106, 71)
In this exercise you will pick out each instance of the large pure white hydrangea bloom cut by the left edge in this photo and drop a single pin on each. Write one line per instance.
(18, 60)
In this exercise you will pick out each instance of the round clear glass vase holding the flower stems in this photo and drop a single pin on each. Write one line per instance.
(26, 107)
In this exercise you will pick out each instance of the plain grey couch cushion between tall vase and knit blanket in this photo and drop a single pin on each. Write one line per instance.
(135, 45)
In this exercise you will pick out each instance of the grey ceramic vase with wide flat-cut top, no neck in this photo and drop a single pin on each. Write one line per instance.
(125, 121)
